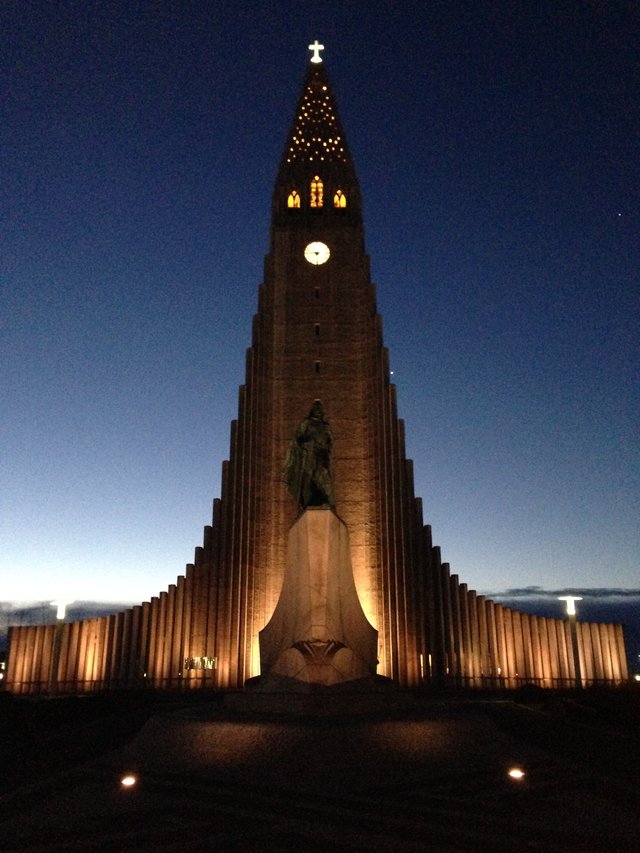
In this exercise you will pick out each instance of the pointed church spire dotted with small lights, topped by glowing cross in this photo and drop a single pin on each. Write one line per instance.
(316, 147)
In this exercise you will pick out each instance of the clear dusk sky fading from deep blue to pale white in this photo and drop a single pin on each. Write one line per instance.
(497, 148)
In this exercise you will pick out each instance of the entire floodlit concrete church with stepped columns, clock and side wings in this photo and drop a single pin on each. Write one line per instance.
(316, 336)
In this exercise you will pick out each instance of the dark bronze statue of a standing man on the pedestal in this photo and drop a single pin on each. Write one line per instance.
(307, 470)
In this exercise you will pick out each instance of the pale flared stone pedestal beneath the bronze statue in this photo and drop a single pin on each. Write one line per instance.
(318, 633)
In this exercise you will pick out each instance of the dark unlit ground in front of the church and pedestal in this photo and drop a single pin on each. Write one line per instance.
(425, 772)
